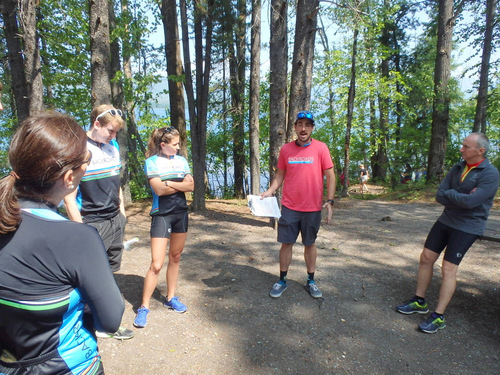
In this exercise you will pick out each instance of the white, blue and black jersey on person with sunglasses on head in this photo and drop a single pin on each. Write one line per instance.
(98, 194)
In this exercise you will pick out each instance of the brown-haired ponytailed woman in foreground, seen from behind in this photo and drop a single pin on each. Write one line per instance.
(55, 283)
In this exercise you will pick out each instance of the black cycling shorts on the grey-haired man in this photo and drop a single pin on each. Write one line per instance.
(455, 241)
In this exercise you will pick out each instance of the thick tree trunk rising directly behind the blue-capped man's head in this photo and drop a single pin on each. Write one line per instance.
(303, 57)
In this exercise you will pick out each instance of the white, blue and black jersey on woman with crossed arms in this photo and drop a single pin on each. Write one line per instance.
(172, 169)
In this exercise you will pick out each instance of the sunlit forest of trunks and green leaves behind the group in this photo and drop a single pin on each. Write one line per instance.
(378, 75)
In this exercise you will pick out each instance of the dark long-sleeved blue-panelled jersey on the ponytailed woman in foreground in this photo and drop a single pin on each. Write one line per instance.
(55, 287)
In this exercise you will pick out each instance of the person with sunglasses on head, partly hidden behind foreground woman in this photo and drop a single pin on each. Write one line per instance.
(98, 201)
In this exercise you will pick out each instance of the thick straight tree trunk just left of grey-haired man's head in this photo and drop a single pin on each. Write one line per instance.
(441, 103)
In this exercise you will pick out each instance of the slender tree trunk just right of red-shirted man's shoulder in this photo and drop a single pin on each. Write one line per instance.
(350, 111)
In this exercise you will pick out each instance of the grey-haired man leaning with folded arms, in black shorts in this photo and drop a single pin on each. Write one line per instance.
(467, 194)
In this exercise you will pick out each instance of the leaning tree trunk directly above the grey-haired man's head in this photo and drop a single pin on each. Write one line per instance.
(482, 95)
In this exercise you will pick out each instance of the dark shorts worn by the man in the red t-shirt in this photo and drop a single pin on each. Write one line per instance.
(292, 222)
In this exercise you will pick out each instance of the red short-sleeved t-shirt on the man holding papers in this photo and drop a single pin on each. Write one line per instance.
(304, 166)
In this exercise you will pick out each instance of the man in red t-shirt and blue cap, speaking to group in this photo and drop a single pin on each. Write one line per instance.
(302, 166)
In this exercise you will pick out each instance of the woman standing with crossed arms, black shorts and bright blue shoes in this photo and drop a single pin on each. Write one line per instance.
(170, 177)
